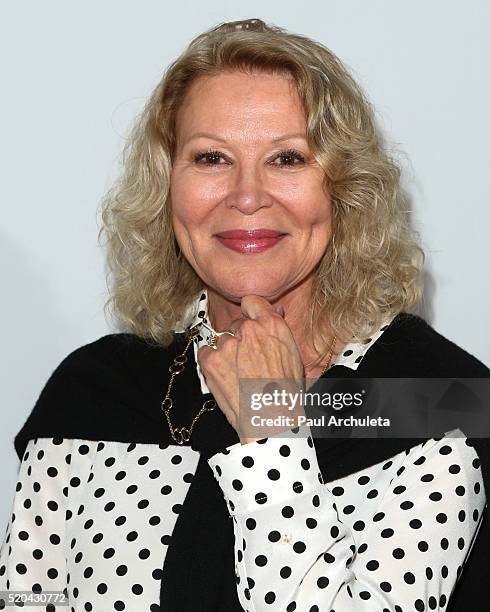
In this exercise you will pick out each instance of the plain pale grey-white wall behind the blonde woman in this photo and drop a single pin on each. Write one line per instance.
(73, 77)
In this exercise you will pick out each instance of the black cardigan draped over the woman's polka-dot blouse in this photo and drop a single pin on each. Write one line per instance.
(114, 387)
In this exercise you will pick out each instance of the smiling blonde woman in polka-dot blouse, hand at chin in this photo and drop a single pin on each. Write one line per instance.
(257, 200)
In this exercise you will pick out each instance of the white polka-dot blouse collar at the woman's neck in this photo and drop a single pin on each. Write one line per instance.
(351, 355)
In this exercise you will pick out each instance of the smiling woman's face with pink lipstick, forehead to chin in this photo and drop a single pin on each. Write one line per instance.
(242, 163)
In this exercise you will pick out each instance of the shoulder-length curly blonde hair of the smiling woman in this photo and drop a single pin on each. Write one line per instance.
(372, 267)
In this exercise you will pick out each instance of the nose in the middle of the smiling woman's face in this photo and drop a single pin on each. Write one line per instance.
(247, 192)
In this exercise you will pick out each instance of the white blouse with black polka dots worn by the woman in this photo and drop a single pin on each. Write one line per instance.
(94, 519)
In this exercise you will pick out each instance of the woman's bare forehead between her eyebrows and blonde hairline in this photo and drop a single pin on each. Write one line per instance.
(239, 104)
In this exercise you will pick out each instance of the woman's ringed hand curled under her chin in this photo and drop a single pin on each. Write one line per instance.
(264, 347)
